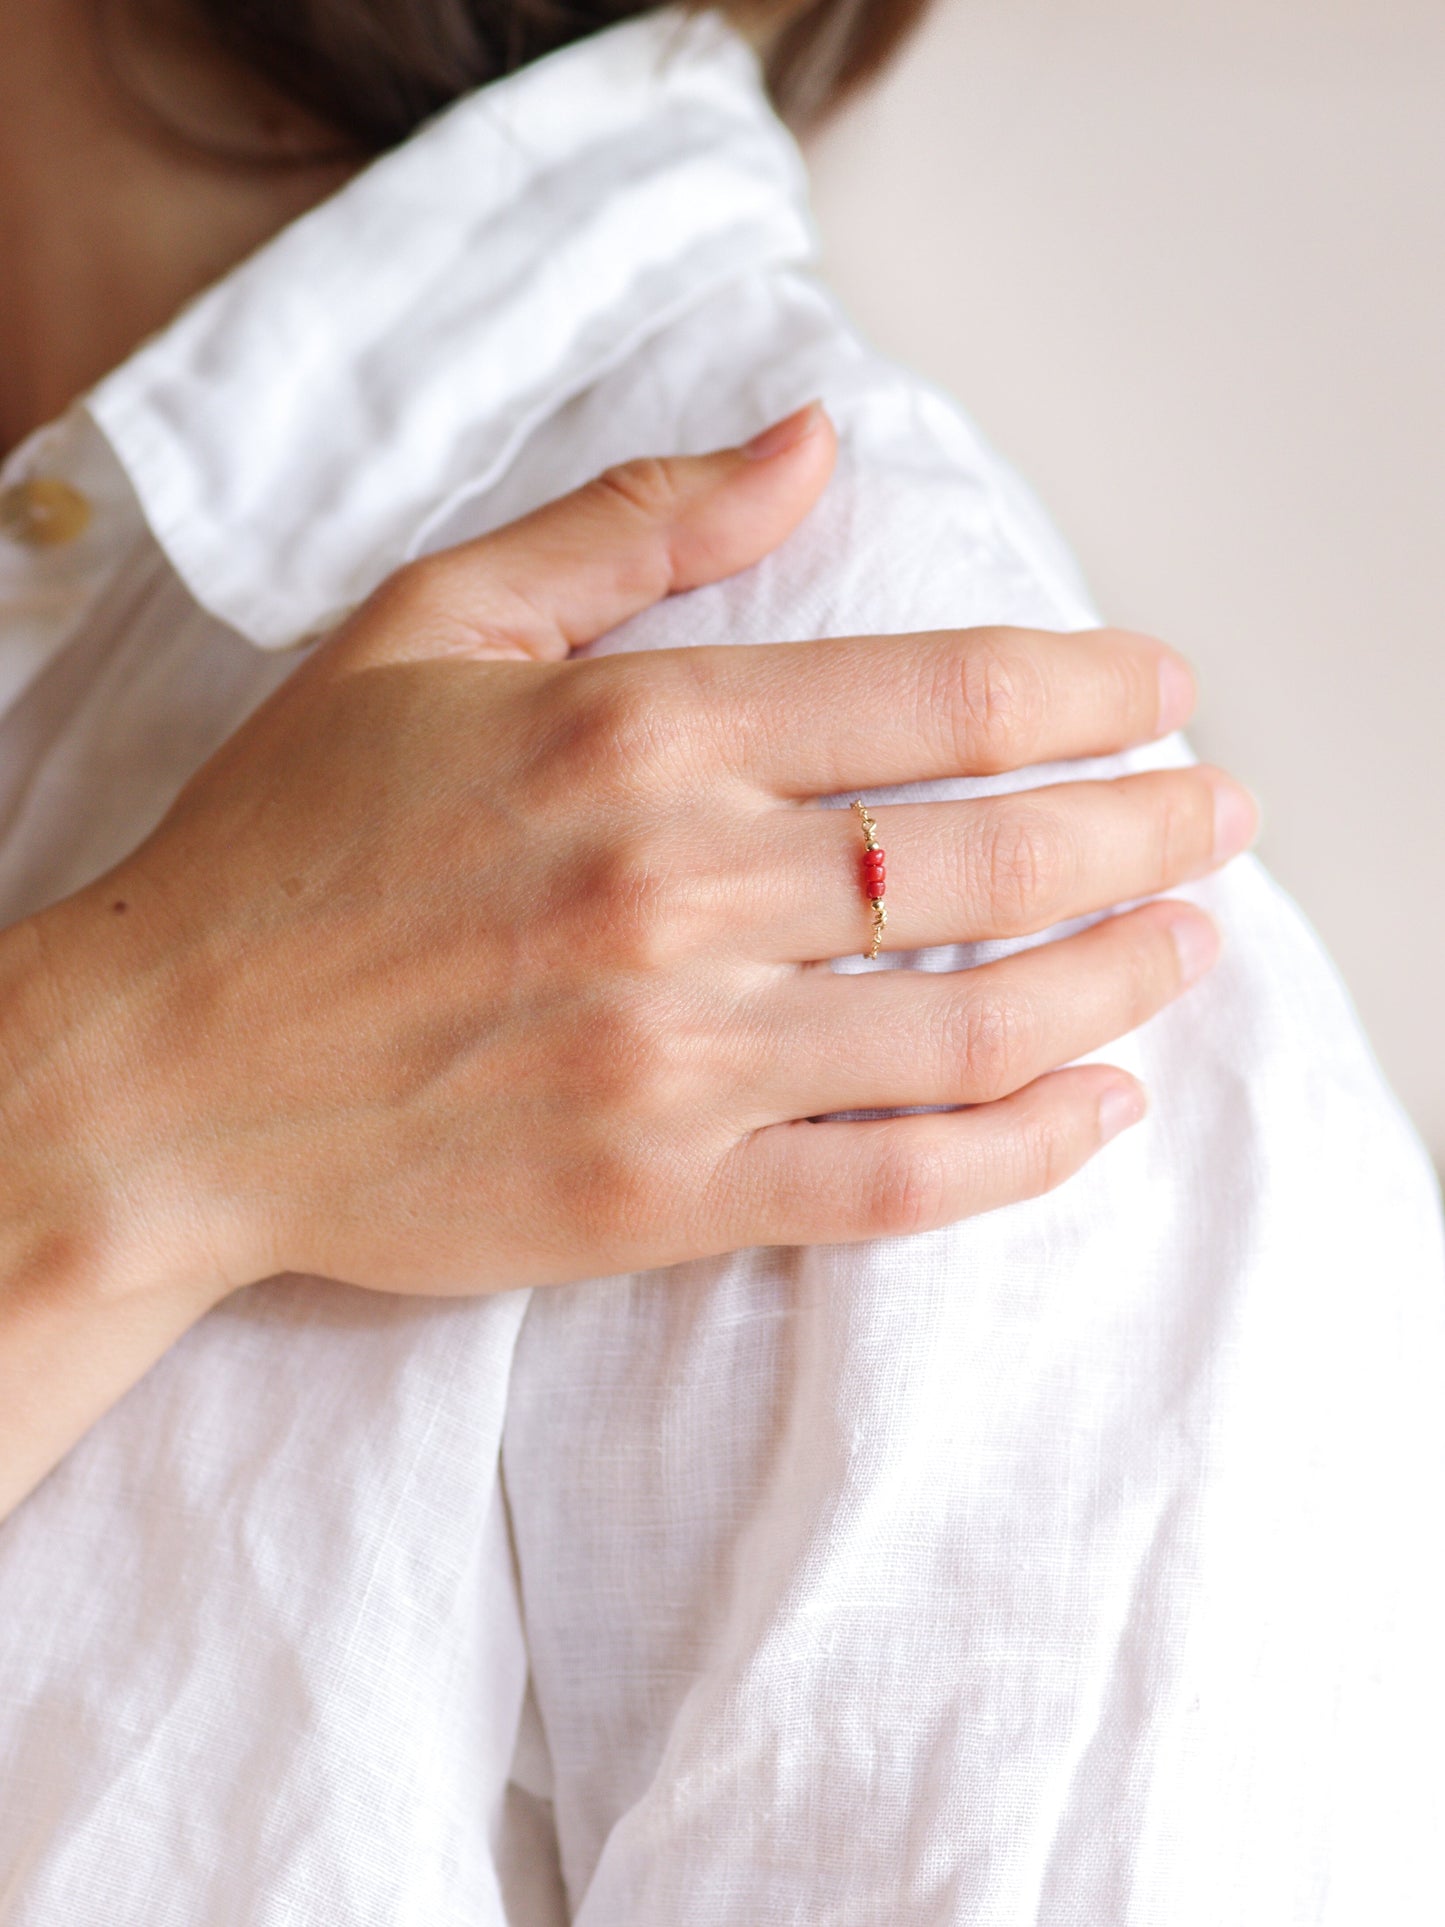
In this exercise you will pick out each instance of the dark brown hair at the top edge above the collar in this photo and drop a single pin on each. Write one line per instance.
(375, 70)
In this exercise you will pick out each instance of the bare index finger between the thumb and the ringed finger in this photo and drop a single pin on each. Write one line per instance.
(820, 718)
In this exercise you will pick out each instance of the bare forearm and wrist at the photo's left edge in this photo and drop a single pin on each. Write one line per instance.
(92, 1294)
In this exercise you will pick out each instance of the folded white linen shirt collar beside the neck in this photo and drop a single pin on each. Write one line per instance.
(296, 431)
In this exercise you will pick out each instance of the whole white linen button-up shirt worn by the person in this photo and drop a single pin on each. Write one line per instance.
(1074, 1568)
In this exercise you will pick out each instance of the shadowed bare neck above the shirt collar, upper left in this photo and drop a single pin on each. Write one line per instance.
(109, 223)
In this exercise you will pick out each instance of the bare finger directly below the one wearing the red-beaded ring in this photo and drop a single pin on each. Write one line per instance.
(970, 1038)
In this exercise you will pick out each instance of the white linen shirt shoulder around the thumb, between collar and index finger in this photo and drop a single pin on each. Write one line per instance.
(922, 527)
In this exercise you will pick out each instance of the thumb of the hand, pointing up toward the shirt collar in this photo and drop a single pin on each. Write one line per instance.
(575, 569)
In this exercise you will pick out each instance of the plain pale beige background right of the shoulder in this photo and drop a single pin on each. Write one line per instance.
(1186, 265)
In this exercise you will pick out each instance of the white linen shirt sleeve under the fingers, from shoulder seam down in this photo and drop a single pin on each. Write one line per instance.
(1080, 1564)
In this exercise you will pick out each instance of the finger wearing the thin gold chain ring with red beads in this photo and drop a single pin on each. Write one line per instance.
(1003, 866)
